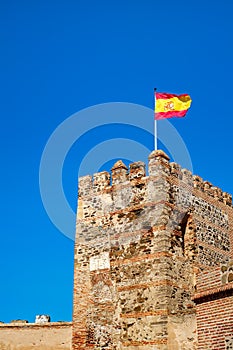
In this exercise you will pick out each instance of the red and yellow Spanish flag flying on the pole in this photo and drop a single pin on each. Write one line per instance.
(170, 105)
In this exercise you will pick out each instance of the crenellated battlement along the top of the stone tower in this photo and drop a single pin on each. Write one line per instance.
(159, 165)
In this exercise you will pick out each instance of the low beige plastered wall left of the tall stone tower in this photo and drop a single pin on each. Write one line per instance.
(29, 336)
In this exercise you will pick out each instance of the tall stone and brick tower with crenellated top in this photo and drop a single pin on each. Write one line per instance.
(153, 260)
